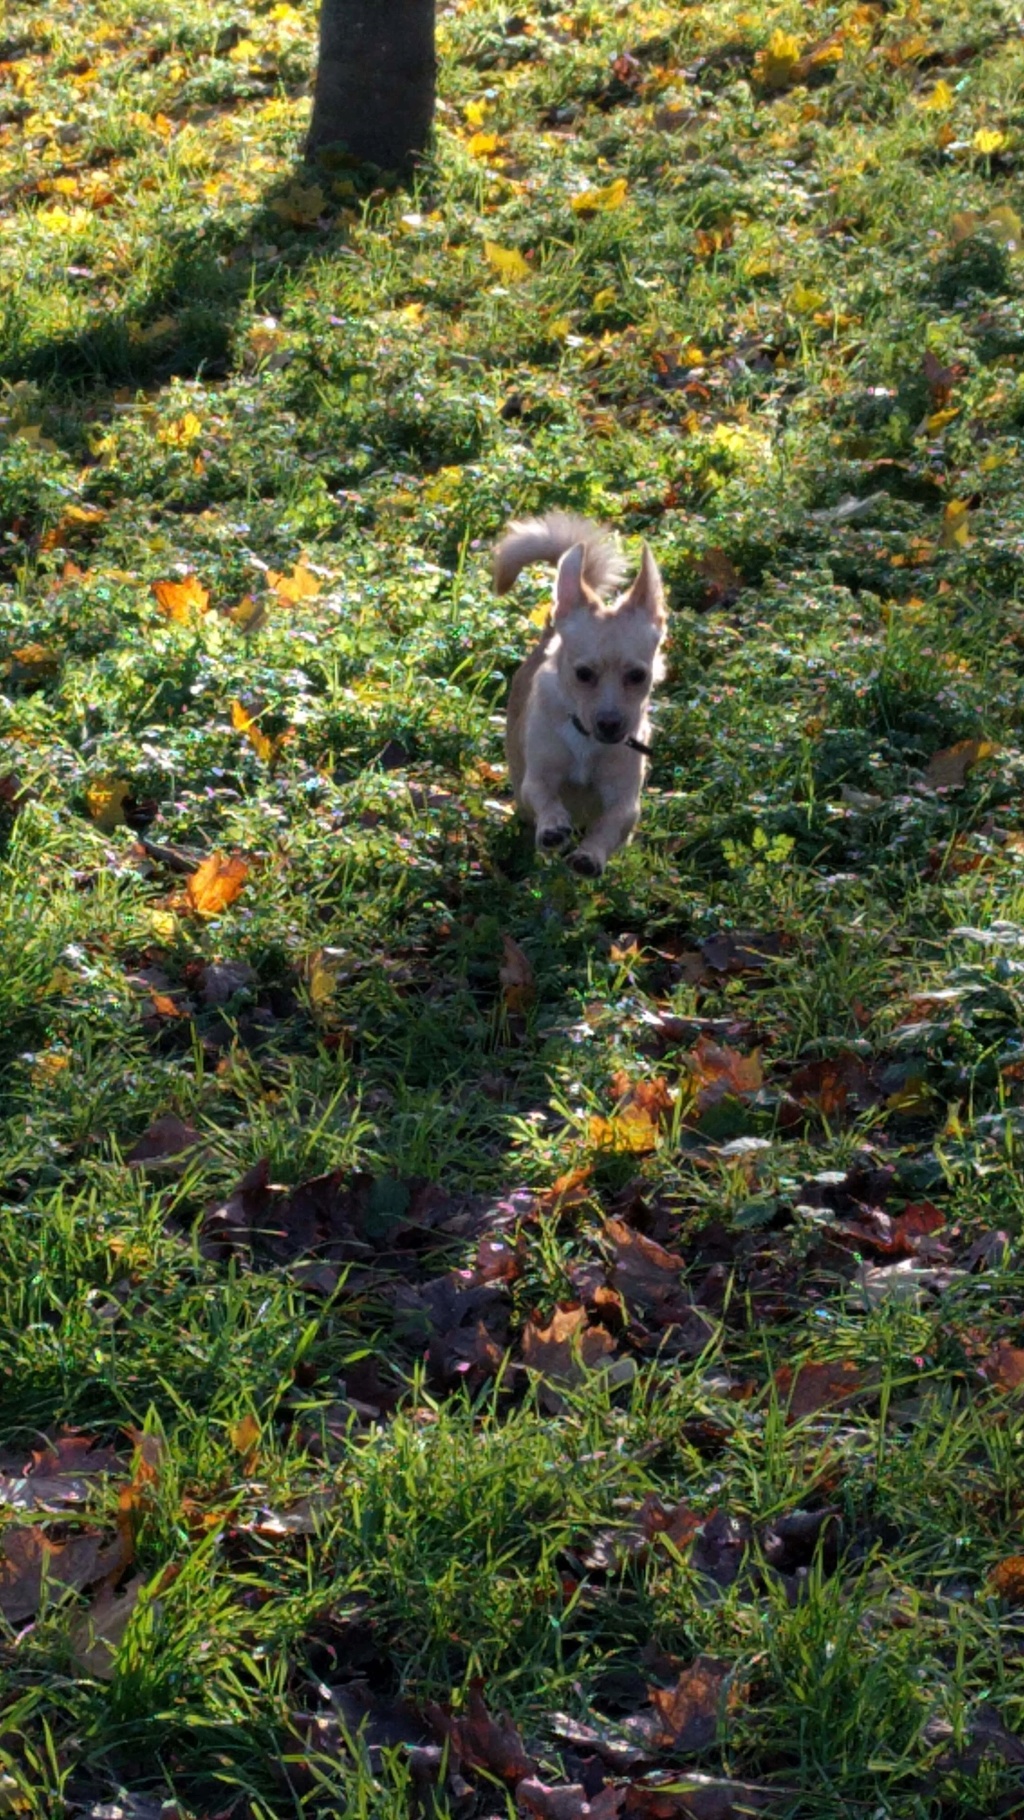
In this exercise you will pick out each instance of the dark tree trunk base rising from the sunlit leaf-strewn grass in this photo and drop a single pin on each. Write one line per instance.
(376, 81)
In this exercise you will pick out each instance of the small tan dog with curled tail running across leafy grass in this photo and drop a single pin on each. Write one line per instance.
(577, 718)
